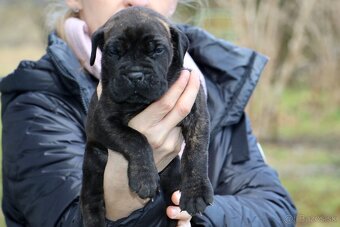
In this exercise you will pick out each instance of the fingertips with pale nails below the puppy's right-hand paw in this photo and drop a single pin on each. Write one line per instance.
(174, 212)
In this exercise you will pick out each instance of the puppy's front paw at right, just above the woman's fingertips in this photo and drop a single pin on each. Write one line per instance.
(196, 195)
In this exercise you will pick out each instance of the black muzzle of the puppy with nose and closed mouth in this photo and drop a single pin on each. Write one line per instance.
(137, 87)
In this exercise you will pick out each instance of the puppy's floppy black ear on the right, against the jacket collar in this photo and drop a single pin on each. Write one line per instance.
(180, 44)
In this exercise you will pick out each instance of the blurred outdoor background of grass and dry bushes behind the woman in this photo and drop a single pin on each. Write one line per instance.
(295, 109)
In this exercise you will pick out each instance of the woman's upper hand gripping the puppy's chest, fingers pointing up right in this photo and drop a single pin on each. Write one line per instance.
(159, 120)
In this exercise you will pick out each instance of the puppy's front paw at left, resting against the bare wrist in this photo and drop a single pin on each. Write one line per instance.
(144, 181)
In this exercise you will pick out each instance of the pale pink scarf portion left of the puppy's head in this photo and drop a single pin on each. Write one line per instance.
(77, 36)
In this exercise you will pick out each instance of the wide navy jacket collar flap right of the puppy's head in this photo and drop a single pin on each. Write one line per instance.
(231, 74)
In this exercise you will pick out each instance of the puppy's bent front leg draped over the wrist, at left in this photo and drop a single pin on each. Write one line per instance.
(142, 171)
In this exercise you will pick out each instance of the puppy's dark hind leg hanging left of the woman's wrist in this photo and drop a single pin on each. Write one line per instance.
(92, 193)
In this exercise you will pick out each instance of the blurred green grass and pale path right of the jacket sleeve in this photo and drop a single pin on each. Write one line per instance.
(307, 155)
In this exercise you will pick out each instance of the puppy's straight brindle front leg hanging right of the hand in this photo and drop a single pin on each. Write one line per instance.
(196, 189)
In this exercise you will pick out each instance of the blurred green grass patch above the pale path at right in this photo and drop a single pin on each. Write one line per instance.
(309, 115)
